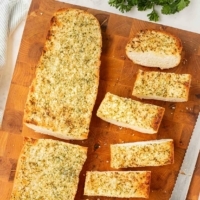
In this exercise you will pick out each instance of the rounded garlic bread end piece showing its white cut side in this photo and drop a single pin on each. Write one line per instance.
(155, 48)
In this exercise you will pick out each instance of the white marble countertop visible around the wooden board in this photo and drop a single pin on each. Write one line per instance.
(188, 19)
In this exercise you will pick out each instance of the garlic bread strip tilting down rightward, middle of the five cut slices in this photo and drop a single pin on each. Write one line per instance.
(125, 112)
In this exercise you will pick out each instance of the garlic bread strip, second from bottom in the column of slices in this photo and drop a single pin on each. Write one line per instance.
(142, 154)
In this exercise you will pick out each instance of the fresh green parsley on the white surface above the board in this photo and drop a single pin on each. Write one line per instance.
(167, 6)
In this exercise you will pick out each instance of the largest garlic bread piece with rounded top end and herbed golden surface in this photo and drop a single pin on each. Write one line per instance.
(63, 93)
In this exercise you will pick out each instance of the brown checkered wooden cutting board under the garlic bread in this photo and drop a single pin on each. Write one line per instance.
(116, 76)
